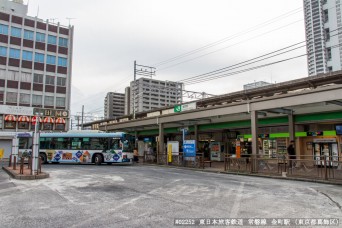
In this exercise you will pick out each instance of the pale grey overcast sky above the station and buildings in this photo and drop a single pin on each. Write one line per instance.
(111, 34)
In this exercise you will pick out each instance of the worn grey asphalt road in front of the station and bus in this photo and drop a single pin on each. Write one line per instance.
(151, 196)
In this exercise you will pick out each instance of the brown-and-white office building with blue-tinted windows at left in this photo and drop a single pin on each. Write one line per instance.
(35, 70)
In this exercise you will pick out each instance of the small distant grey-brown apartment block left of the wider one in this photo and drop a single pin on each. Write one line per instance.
(114, 105)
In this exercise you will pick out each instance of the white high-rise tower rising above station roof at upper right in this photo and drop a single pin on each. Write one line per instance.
(323, 21)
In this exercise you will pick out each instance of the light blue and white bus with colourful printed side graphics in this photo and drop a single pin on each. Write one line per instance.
(80, 147)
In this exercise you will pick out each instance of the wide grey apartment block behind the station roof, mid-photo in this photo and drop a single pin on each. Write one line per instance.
(148, 94)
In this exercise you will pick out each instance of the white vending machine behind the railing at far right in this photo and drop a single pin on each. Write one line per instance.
(325, 149)
